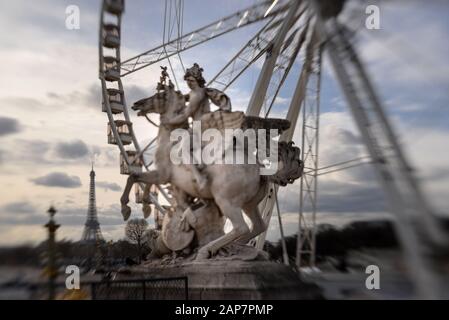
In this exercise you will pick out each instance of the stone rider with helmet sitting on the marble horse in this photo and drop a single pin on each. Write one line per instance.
(198, 104)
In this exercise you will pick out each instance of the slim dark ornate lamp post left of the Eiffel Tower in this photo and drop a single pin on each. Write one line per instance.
(52, 271)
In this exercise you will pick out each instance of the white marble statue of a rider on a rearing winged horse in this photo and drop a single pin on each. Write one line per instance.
(231, 187)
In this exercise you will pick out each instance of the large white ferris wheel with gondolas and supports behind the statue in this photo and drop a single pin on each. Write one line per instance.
(291, 31)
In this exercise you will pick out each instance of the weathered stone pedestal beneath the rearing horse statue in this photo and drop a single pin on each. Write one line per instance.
(241, 280)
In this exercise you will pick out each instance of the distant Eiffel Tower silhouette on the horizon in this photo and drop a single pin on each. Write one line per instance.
(92, 231)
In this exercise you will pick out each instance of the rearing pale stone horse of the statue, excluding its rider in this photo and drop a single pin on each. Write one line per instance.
(233, 187)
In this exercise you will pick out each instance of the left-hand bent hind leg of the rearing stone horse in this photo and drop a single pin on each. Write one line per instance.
(239, 228)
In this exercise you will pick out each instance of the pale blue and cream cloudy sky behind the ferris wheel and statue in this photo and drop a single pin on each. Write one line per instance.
(51, 124)
